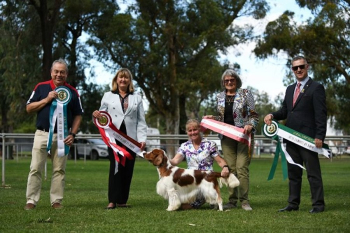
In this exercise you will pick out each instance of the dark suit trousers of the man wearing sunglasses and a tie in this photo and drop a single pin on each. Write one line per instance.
(311, 162)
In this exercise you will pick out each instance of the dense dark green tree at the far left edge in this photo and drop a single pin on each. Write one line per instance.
(19, 62)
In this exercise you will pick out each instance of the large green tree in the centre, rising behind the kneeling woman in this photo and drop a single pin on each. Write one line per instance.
(172, 48)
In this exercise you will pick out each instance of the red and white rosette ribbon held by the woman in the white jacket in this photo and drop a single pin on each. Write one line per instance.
(110, 133)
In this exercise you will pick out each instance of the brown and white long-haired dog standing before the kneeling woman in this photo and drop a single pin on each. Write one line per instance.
(179, 185)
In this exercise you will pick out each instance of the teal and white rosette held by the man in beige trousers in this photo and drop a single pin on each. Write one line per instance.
(58, 113)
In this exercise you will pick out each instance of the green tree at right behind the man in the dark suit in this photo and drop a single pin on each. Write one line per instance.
(324, 41)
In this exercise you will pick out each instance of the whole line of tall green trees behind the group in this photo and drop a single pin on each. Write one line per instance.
(172, 48)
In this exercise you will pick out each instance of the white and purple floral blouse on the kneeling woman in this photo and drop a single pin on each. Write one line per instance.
(201, 159)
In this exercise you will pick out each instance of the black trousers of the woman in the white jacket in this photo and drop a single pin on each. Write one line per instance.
(119, 183)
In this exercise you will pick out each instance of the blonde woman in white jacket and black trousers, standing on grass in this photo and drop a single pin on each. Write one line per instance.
(126, 109)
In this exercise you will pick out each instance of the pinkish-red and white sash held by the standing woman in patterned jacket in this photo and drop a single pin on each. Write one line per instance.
(226, 130)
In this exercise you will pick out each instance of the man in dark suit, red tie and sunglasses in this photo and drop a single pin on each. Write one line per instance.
(306, 112)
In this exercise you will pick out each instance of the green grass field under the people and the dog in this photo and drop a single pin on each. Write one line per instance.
(86, 198)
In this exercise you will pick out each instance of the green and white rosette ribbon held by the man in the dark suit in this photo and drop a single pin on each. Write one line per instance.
(279, 132)
